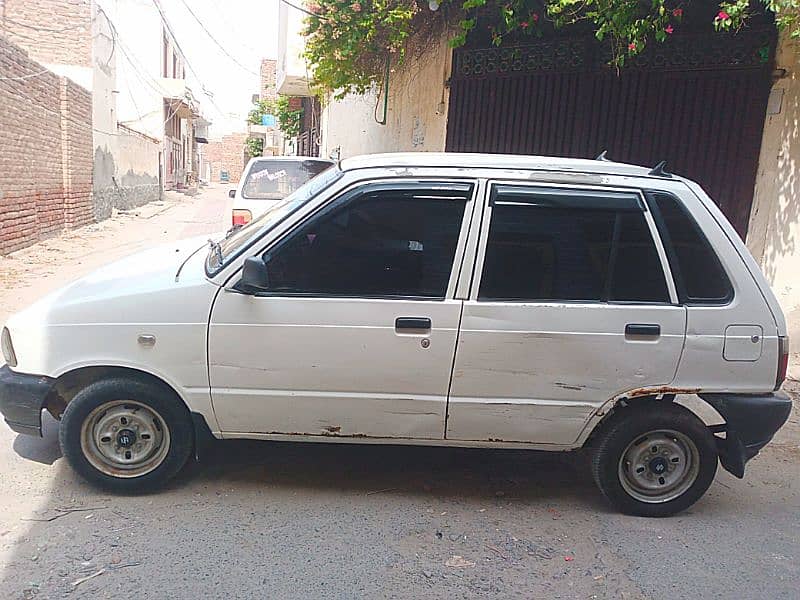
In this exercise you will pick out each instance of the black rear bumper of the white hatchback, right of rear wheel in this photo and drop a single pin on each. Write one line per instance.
(751, 420)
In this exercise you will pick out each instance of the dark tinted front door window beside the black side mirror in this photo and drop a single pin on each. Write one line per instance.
(380, 243)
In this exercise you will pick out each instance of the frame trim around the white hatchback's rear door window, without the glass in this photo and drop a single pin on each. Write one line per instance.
(581, 190)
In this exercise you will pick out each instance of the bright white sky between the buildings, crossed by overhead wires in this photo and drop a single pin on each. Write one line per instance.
(248, 31)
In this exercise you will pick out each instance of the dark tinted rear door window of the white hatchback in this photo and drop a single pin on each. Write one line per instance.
(571, 246)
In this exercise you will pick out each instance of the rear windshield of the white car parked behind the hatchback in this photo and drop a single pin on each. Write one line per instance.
(276, 179)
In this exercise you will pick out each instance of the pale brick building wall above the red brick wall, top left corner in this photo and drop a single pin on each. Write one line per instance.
(53, 31)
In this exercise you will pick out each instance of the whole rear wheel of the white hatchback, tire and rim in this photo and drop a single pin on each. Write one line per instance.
(654, 460)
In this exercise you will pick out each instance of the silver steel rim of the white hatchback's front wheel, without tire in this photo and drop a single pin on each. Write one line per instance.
(125, 439)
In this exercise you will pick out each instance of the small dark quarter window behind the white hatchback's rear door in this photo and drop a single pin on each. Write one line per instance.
(699, 275)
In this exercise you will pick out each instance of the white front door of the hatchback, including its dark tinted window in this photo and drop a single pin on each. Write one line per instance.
(356, 334)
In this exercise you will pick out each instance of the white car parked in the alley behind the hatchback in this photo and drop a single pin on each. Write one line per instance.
(268, 179)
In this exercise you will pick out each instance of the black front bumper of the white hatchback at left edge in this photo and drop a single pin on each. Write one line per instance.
(22, 398)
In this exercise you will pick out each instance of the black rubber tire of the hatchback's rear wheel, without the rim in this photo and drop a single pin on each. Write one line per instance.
(630, 425)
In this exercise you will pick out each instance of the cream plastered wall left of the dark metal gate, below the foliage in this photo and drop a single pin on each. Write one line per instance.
(416, 118)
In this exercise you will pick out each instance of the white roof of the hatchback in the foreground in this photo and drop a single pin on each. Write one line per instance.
(492, 161)
